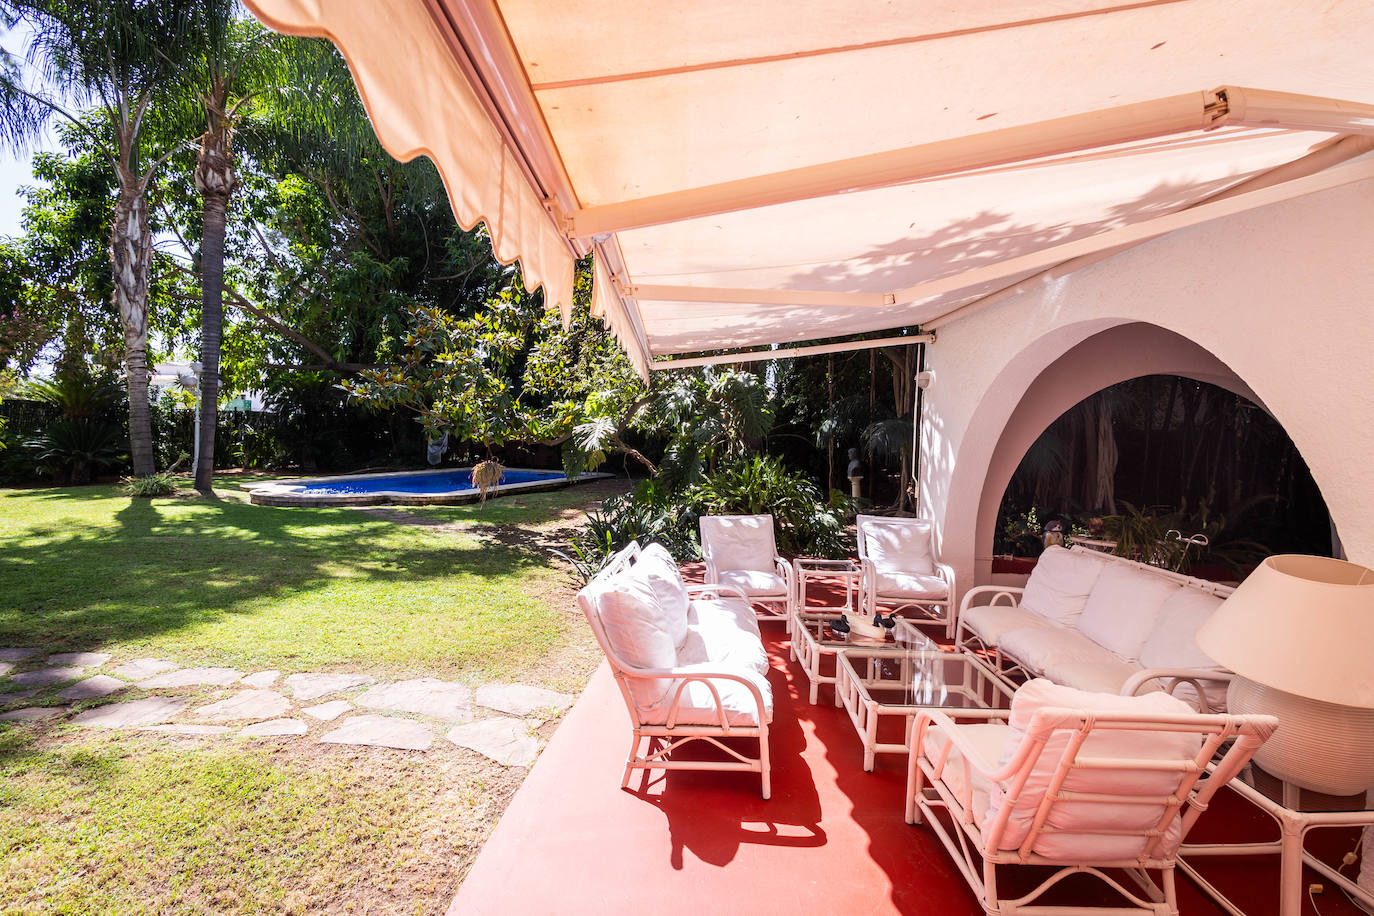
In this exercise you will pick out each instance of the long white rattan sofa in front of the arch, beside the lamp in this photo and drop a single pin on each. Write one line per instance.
(1100, 623)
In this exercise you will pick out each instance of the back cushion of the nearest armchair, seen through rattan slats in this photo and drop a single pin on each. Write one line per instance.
(1088, 816)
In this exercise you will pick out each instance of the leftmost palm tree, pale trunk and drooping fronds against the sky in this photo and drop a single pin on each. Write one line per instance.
(115, 56)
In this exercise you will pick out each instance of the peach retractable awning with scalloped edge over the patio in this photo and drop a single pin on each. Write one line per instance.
(638, 108)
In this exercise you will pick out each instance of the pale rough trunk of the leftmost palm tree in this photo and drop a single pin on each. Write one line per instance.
(131, 259)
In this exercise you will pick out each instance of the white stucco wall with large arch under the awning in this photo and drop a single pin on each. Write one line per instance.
(1283, 296)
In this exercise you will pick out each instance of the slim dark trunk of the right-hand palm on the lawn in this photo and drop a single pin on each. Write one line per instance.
(215, 179)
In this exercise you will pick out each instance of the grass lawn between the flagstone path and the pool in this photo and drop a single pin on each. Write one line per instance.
(248, 586)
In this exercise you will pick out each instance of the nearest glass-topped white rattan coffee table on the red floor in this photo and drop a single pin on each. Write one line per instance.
(886, 687)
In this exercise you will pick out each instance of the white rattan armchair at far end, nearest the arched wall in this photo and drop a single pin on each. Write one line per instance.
(902, 572)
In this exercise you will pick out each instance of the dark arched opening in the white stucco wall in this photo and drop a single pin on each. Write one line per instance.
(1145, 465)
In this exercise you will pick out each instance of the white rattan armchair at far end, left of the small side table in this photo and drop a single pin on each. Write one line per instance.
(741, 553)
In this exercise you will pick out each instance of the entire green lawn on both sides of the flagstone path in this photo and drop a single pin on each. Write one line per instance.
(130, 822)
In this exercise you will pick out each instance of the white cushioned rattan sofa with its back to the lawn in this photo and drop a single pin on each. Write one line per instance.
(689, 663)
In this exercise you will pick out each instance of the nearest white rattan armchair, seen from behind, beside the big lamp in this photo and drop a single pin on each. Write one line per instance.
(1078, 782)
